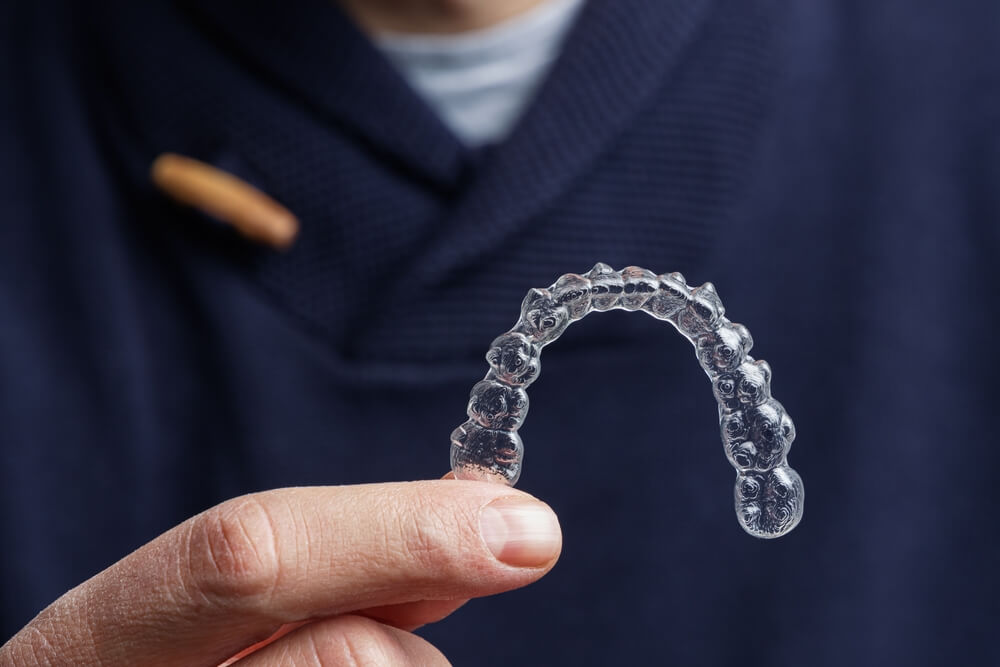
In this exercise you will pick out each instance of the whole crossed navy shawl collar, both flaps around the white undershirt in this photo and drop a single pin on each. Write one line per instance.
(614, 60)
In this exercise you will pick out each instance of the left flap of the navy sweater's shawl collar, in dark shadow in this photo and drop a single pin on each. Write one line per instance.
(314, 51)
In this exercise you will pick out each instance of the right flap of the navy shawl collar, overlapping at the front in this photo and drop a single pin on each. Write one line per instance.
(615, 59)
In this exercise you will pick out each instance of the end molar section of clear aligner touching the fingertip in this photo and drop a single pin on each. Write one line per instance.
(486, 455)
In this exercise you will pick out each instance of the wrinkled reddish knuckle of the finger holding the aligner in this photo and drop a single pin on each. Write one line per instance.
(232, 552)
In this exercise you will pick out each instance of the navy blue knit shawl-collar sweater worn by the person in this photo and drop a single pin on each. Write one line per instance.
(832, 166)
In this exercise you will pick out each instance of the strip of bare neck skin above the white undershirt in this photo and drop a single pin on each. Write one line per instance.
(433, 16)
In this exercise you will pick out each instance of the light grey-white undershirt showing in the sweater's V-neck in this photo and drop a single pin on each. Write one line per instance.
(480, 82)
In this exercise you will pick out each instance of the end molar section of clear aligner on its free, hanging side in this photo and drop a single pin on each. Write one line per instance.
(769, 504)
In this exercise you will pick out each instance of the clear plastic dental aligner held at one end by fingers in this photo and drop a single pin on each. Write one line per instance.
(756, 430)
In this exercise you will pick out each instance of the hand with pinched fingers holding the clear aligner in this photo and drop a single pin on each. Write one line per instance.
(348, 572)
